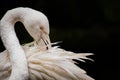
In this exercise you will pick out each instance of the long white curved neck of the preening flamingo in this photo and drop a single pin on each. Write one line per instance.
(10, 41)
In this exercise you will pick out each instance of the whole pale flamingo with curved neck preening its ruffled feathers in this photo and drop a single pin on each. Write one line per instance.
(36, 60)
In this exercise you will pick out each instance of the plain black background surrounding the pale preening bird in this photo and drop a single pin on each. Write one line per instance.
(83, 26)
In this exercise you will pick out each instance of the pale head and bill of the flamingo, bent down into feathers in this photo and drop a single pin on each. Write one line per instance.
(37, 25)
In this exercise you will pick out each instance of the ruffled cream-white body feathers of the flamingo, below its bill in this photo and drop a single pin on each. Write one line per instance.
(52, 64)
